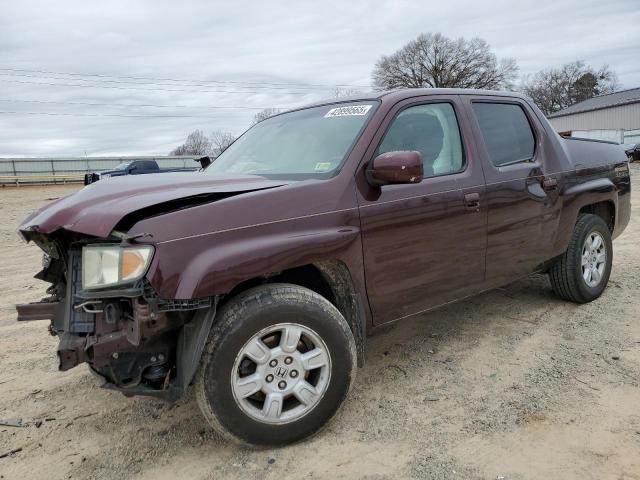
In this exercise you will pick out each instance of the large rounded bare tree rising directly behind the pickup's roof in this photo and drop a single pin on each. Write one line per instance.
(433, 60)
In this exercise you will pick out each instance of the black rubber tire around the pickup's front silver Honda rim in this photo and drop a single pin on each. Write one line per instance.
(239, 320)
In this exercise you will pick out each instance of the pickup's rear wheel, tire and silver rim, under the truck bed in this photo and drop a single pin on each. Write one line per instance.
(582, 273)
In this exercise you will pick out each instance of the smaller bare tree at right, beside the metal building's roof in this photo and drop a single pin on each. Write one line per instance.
(556, 88)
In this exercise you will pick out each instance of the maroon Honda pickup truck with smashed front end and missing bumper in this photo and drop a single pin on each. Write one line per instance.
(259, 279)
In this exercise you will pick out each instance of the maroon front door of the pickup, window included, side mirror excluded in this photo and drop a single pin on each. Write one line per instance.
(424, 244)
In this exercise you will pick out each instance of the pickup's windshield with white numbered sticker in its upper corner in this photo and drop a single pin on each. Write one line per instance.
(309, 143)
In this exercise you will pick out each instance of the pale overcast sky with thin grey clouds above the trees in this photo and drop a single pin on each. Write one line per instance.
(87, 78)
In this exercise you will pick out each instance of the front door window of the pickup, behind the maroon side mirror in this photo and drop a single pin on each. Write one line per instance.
(433, 131)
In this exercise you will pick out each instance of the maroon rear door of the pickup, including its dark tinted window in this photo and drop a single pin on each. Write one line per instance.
(522, 195)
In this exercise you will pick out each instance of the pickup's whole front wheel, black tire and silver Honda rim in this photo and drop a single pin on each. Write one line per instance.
(279, 362)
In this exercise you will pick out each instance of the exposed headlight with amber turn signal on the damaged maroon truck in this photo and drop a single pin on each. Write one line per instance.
(108, 266)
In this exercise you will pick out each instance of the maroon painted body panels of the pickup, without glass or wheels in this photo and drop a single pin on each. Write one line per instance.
(408, 247)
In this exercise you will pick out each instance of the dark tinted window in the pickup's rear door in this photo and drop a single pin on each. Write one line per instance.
(506, 132)
